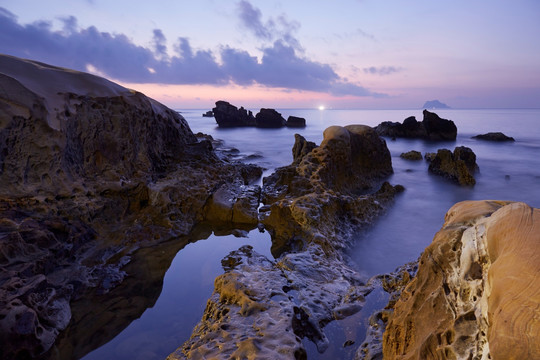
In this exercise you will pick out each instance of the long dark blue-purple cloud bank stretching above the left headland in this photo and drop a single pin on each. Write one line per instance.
(281, 64)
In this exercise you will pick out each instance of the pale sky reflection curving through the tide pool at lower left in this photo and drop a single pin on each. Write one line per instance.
(187, 285)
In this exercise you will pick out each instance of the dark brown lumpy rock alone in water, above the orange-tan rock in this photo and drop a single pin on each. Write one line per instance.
(459, 166)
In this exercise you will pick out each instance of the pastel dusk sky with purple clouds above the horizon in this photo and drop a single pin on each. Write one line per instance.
(343, 54)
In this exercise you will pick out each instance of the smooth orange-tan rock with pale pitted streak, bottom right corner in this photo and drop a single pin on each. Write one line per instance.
(479, 279)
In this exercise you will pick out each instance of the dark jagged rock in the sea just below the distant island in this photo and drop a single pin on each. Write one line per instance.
(432, 127)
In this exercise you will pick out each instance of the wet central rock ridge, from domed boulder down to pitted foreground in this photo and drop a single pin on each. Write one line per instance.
(262, 308)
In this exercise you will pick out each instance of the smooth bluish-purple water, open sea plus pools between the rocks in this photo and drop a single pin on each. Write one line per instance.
(507, 171)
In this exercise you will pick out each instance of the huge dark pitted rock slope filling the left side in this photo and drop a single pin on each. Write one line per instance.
(89, 173)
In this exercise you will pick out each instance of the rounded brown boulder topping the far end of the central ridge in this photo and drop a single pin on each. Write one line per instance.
(352, 158)
